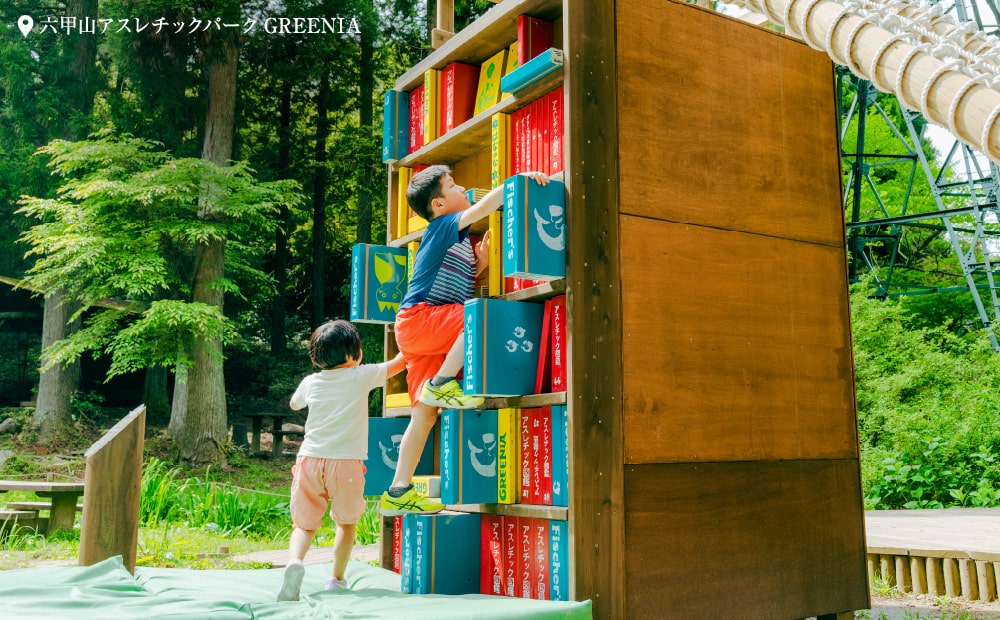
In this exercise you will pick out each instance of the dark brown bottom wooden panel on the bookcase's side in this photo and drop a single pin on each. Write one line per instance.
(781, 539)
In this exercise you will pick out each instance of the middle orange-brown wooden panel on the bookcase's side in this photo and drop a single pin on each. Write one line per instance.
(735, 347)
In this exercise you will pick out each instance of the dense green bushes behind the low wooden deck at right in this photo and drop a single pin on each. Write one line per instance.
(918, 383)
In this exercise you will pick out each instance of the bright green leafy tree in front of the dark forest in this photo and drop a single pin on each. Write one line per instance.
(125, 212)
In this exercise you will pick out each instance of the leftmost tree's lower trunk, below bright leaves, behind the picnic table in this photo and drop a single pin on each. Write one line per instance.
(56, 385)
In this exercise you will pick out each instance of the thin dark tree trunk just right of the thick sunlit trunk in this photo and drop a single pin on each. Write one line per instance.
(279, 339)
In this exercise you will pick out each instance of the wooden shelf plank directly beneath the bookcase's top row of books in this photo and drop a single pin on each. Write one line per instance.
(473, 135)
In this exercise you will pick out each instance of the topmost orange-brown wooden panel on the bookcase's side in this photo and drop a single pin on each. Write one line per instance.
(726, 125)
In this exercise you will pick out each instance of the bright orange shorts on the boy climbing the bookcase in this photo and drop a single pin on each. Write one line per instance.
(424, 335)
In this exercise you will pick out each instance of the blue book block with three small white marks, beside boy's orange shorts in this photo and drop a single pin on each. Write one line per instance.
(501, 346)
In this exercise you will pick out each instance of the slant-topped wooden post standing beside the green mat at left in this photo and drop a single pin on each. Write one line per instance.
(110, 521)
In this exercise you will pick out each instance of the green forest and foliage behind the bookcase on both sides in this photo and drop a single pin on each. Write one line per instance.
(185, 200)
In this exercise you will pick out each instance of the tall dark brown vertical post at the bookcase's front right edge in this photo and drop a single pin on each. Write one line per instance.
(593, 295)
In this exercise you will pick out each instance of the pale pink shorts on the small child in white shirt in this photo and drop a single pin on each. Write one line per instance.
(316, 481)
